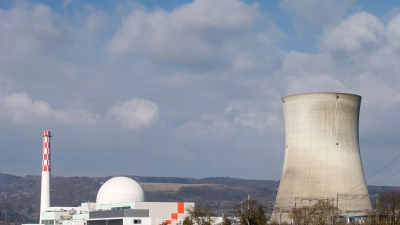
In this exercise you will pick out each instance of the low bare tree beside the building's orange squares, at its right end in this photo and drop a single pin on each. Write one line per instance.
(201, 215)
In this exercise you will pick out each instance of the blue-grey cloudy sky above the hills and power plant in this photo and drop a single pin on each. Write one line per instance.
(189, 88)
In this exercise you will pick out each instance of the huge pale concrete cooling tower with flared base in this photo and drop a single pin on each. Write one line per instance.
(322, 155)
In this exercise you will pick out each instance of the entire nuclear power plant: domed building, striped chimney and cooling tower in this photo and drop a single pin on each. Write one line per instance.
(322, 162)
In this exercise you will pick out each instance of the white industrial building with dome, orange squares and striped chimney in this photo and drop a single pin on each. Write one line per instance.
(119, 201)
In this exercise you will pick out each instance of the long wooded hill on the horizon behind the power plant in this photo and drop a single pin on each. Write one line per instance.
(20, 196)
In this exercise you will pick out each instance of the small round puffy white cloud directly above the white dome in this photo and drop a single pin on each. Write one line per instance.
(135, 113)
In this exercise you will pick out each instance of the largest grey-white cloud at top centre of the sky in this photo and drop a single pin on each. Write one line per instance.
(191, 34)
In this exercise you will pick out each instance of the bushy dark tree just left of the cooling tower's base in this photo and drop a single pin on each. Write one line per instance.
(250, 212)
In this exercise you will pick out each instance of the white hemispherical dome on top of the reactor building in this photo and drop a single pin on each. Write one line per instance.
(120, 190)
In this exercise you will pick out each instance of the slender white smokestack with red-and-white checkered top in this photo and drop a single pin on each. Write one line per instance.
(45, 192)
